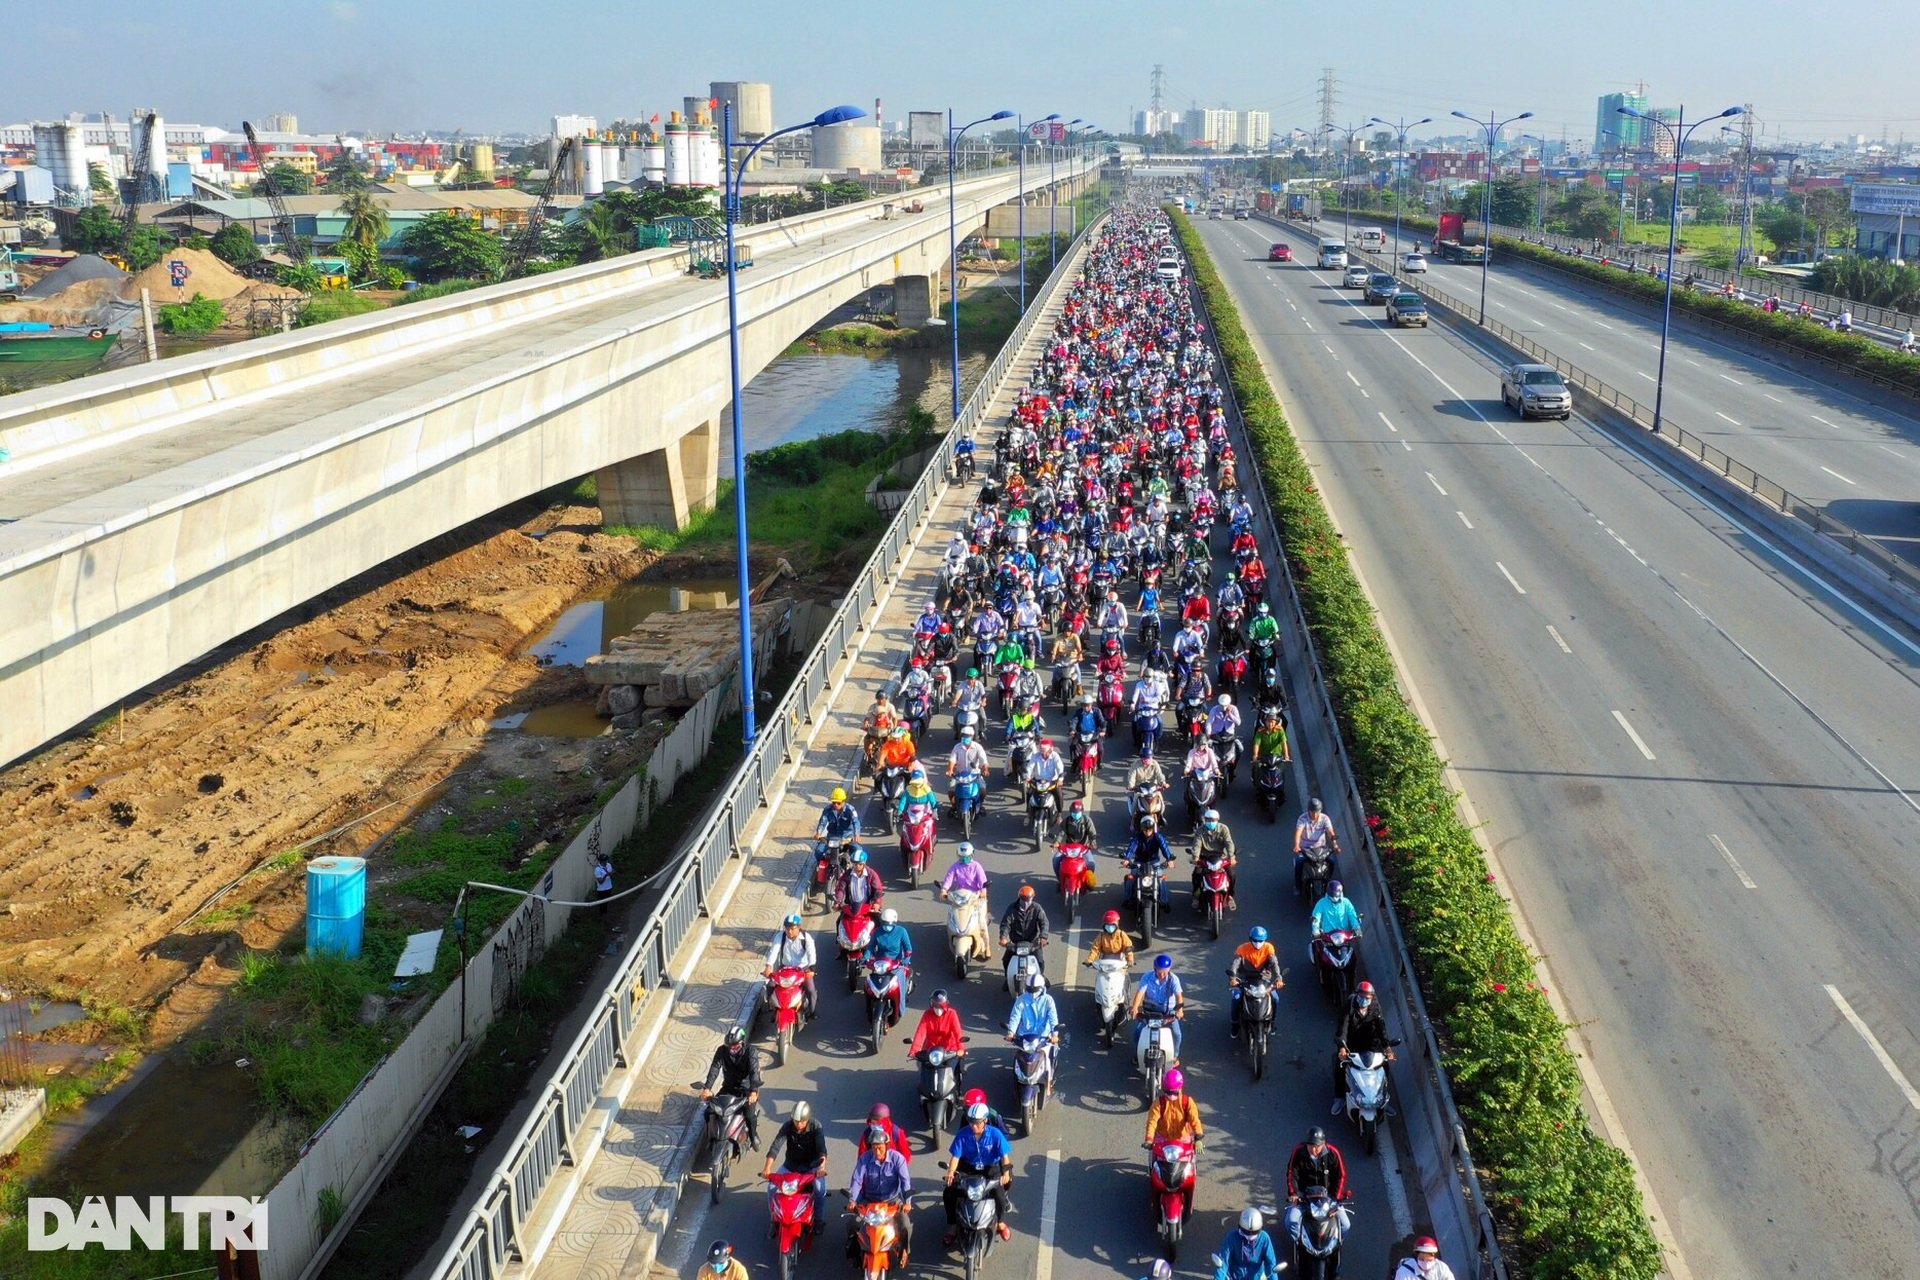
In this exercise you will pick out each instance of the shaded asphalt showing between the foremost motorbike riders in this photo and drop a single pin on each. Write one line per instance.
(1082, 1198)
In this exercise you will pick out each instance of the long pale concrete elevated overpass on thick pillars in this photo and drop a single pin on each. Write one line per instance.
(155, 513)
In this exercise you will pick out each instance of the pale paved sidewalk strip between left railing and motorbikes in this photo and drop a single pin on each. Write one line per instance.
(631, 1191)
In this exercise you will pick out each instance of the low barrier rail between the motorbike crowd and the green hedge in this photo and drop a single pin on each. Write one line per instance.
(1305, 671)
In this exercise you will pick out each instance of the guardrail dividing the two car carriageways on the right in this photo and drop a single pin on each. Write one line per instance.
(1888, 565)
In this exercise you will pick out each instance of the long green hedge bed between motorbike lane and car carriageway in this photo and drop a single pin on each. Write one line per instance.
(1564, 1198)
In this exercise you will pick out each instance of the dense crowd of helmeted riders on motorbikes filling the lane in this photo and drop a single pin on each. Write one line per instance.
(1109, 581)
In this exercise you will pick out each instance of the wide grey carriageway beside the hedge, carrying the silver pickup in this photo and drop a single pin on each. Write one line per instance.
(1687, 761)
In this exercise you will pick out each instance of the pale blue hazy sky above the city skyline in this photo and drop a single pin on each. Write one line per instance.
(492, 66)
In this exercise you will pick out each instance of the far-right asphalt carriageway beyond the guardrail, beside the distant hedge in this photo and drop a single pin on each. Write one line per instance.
(1821, 442)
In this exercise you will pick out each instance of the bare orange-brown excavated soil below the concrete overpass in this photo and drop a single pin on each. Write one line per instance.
(368, 698)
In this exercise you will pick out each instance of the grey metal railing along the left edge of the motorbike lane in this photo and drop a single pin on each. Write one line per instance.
(494, 1235)
